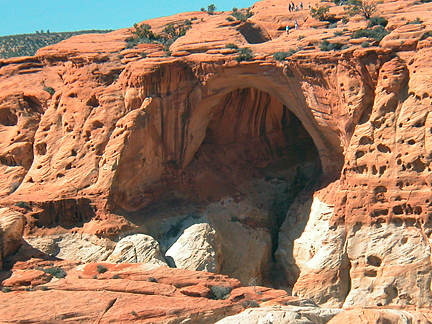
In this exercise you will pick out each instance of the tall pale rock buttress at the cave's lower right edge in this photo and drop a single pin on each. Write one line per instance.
(311, 252)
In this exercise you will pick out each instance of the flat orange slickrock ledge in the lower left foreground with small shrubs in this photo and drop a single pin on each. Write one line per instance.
(123, 293)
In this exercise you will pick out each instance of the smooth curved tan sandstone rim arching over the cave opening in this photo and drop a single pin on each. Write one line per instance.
(286, 90)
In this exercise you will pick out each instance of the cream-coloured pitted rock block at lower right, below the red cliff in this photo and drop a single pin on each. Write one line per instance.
(390, 265)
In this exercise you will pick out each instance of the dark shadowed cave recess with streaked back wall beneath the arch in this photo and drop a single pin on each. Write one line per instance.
(257, 153)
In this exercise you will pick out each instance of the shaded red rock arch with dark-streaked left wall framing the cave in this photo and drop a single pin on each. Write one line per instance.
(174, 123)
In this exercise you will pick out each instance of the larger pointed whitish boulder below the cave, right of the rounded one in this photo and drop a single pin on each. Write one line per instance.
(196, 249)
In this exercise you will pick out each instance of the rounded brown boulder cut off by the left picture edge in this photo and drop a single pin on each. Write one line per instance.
(11, 230)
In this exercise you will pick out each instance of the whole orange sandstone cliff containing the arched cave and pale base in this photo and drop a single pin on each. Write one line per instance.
(310, 174)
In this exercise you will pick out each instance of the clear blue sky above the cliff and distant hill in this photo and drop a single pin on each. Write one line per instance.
(27, 16)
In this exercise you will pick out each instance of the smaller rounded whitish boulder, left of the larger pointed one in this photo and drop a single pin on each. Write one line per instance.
(137, 248)
